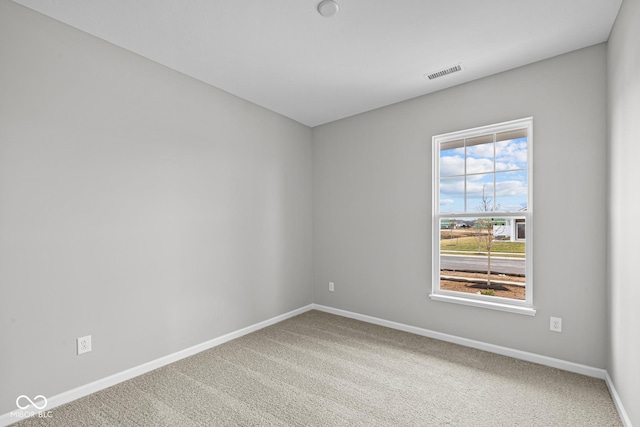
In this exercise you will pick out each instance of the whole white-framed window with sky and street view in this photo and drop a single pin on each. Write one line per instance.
(482, 212)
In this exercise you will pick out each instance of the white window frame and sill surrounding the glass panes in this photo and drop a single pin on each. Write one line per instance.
(491, 302)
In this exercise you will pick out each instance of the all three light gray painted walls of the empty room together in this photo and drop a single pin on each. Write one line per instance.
(155, 212)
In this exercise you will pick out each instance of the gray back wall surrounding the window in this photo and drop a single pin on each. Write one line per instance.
(372, 207)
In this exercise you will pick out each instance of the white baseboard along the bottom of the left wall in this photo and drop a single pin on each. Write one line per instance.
(85, 390)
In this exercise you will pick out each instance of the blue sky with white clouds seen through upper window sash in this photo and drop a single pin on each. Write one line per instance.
(499, 168)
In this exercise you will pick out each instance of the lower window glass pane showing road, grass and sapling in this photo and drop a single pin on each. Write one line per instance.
(482, 256)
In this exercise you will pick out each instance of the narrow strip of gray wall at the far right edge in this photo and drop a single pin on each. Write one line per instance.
(624, 207)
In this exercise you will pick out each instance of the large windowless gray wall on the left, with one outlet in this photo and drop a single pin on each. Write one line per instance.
(136, 205)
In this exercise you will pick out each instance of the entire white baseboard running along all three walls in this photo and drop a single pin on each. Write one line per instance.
(109, 381)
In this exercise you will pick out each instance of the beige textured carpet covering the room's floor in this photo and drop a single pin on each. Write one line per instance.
(318, 369)
